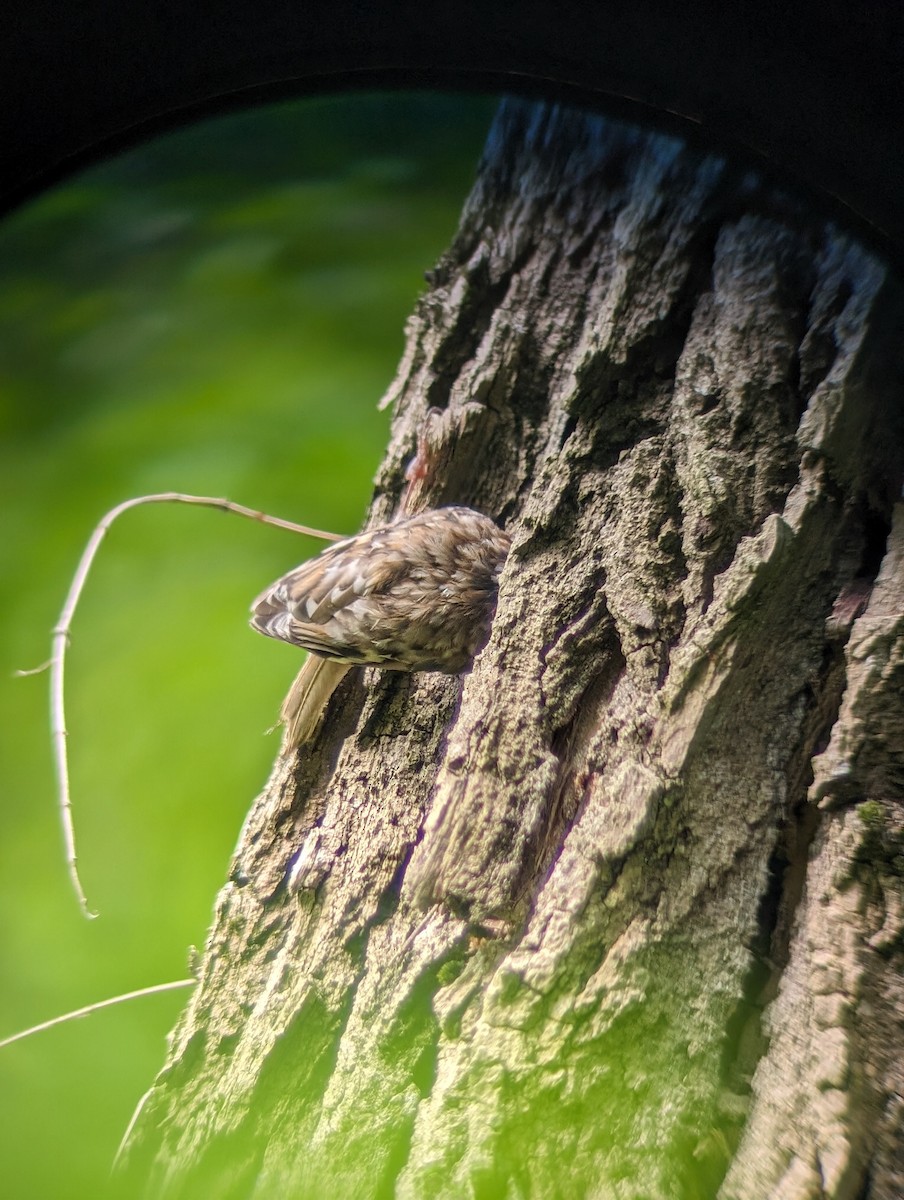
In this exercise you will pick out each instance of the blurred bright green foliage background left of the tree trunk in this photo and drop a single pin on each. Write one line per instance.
(217, 313)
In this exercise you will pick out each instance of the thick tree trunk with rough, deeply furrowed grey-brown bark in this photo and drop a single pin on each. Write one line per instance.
(620, 913)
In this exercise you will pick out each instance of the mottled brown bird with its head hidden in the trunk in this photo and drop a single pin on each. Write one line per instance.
(415, 596)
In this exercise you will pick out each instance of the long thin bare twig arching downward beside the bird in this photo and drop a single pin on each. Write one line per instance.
(62, 638)
